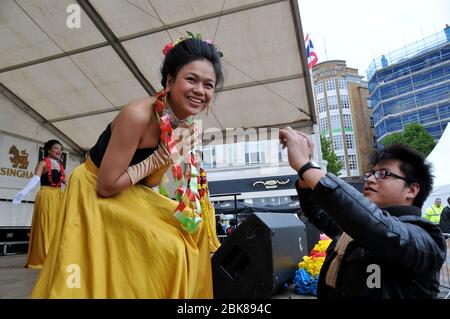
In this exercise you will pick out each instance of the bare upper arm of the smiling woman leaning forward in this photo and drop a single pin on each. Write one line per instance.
(127, 130)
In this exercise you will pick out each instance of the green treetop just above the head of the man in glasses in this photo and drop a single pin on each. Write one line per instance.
(414, 135)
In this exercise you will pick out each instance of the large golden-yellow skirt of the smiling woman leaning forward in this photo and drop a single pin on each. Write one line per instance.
(125, 246)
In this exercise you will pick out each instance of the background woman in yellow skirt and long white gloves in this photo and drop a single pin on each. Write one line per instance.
(50, 174)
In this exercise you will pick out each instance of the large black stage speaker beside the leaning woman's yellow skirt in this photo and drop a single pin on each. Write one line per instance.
(259, 256)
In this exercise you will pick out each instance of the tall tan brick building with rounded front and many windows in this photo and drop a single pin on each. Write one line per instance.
(343, 114)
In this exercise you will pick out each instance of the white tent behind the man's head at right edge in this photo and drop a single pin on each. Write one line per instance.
(440, 157)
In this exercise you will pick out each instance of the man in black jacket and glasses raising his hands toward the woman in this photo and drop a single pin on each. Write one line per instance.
(382, 248)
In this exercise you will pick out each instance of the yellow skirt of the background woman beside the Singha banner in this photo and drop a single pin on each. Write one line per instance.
(43, 225)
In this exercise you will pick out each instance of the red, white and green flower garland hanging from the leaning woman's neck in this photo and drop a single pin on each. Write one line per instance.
(187, 183)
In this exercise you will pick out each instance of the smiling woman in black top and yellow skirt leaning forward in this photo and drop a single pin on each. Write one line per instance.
(116, 237)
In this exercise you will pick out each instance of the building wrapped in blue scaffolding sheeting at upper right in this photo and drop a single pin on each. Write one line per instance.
(412, 84)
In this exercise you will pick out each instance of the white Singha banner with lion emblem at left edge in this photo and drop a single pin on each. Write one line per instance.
(18, 159)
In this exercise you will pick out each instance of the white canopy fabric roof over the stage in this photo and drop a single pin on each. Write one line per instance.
(75, 80)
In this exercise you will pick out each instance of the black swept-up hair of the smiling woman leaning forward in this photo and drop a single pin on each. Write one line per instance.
(187, 51)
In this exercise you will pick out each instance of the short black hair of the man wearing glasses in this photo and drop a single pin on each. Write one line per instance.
(413, 165)
